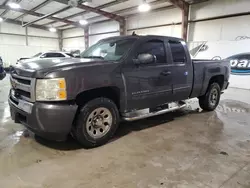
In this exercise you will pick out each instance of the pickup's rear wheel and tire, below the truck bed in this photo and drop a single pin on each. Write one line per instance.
(211, 99)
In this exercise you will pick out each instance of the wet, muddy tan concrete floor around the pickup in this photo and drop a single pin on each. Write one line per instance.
(188, 148)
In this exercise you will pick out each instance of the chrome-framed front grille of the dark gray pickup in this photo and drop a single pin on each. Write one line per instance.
(23, 87)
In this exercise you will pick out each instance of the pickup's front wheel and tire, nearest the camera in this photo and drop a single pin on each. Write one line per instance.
(96, 122)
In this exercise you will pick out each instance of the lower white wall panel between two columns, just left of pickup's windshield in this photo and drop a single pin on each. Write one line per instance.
(74, 44)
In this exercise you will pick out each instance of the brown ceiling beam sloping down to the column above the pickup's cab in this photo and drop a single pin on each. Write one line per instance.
(95, 10)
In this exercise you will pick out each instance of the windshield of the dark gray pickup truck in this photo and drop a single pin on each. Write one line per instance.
(110, 50)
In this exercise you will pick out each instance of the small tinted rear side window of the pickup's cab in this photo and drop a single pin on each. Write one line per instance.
(178, 52)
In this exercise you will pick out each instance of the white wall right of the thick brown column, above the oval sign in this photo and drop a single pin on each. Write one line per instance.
(221, 29)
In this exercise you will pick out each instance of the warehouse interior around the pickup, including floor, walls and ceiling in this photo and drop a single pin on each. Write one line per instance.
(188, 148)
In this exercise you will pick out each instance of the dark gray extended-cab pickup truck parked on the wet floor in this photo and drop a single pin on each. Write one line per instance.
(119, 78)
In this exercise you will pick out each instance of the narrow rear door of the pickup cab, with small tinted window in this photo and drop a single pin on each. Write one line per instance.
(183, 70)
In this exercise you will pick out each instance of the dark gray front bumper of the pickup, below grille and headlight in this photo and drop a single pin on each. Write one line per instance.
(49, 120)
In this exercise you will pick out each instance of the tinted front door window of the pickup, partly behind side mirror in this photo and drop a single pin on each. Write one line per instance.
(156, 48)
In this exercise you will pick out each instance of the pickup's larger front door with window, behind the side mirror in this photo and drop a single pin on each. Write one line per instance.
(149, 85)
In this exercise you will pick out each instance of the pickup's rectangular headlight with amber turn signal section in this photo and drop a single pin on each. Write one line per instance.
(51, 89)
